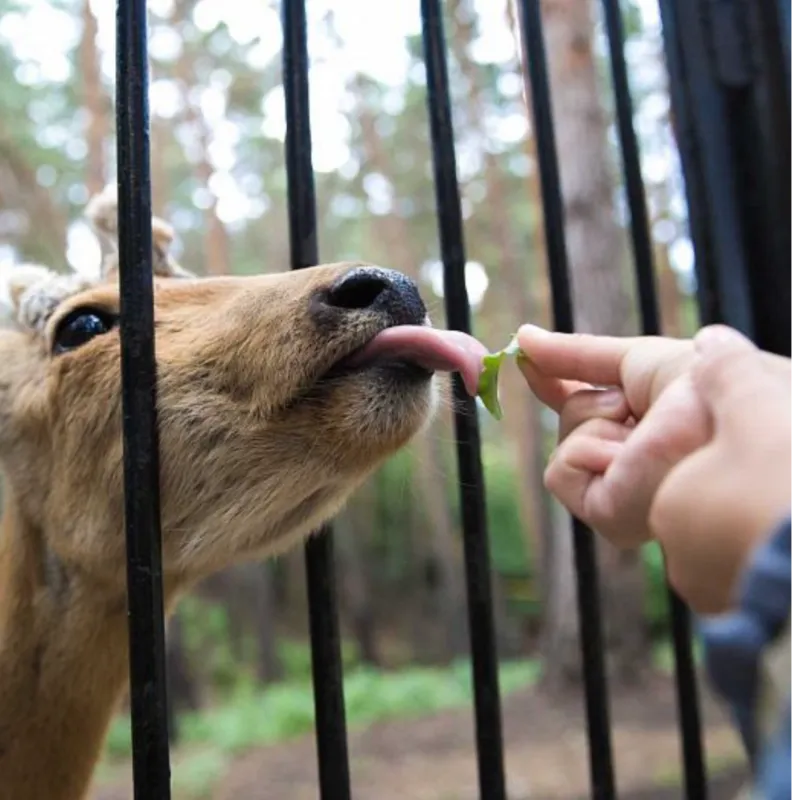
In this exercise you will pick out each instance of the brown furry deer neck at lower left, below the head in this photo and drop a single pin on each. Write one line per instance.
(63, 668)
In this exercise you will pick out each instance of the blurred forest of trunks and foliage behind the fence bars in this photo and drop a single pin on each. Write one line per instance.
(239, 655)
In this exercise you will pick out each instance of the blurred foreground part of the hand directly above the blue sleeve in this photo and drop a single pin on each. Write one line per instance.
(716, 504)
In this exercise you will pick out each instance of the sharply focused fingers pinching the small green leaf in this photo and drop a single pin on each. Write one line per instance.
(616, 446)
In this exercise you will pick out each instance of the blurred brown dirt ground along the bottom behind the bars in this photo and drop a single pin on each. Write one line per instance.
(433, 758)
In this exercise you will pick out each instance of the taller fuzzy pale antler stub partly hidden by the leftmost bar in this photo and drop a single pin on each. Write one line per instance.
(102, 214)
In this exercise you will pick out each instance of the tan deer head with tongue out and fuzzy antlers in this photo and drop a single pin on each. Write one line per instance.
(277, 396)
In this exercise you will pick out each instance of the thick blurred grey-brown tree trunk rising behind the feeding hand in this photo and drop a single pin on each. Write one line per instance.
(596, 248)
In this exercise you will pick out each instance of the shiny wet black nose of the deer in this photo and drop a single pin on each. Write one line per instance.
(381, 290)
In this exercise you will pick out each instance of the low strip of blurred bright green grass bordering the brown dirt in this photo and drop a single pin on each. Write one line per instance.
(253, 716)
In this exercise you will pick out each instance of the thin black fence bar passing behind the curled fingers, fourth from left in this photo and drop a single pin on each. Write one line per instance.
(594, 676)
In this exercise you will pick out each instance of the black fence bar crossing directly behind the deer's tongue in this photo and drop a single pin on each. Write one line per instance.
(489, 735)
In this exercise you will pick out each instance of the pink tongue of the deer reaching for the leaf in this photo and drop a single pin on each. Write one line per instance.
(443, 351)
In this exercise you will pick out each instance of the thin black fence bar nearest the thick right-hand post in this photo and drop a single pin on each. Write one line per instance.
(687, 689)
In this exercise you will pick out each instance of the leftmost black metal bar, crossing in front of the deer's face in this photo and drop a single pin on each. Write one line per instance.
(151, 766)
